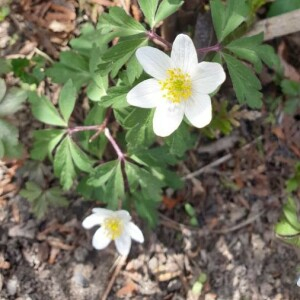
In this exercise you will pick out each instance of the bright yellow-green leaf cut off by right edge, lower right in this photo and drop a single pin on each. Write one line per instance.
(288, 228)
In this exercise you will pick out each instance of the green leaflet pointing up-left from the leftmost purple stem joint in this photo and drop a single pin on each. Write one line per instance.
(44, 111)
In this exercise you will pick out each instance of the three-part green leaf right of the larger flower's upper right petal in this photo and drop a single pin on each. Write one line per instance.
(227, 20)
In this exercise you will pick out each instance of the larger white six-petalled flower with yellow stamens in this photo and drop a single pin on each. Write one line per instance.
(180, 86)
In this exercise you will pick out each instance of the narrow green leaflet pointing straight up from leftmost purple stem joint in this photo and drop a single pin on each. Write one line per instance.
(67, 99)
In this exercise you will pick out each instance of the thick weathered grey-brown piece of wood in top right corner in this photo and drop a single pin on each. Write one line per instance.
(277, 26)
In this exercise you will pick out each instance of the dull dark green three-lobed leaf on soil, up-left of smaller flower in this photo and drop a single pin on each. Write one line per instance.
(41, 199)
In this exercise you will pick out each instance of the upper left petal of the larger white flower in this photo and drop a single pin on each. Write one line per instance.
(154, 61)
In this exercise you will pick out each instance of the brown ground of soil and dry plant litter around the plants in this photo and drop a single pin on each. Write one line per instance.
(237, 191)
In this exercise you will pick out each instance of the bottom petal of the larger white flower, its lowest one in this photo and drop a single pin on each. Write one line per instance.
(167, 118)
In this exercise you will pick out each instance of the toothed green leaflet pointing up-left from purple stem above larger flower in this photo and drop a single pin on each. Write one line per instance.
(118, 21)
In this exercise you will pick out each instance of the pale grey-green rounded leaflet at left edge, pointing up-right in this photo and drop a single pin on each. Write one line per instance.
(12, 101)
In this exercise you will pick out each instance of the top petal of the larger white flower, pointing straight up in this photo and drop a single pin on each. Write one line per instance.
(184, 54)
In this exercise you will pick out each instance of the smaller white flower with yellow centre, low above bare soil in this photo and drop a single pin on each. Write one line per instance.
(116, 226)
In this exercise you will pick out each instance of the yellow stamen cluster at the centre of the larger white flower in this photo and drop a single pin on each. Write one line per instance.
(177, 87)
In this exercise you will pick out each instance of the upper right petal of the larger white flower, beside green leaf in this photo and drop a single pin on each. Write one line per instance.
(207, 77)
